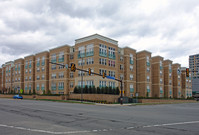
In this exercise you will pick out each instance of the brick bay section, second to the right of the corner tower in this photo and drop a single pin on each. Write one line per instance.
(144, 74)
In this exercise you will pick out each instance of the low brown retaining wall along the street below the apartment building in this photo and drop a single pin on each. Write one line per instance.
(98, 98)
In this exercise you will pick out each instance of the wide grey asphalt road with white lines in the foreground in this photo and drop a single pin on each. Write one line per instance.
(29, 117)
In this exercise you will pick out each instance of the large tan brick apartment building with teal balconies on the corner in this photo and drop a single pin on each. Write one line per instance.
(142, 75)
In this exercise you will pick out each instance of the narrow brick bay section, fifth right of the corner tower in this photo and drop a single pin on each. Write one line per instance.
(177, 89)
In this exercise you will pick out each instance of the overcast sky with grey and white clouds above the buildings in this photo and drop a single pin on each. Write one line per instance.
(169, 28)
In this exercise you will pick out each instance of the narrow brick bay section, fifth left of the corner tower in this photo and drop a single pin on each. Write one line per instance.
(8, 77)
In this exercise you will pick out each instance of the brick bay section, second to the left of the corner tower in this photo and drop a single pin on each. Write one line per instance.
(42, 72)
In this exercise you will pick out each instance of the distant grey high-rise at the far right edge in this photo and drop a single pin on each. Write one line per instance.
(194, 69)
